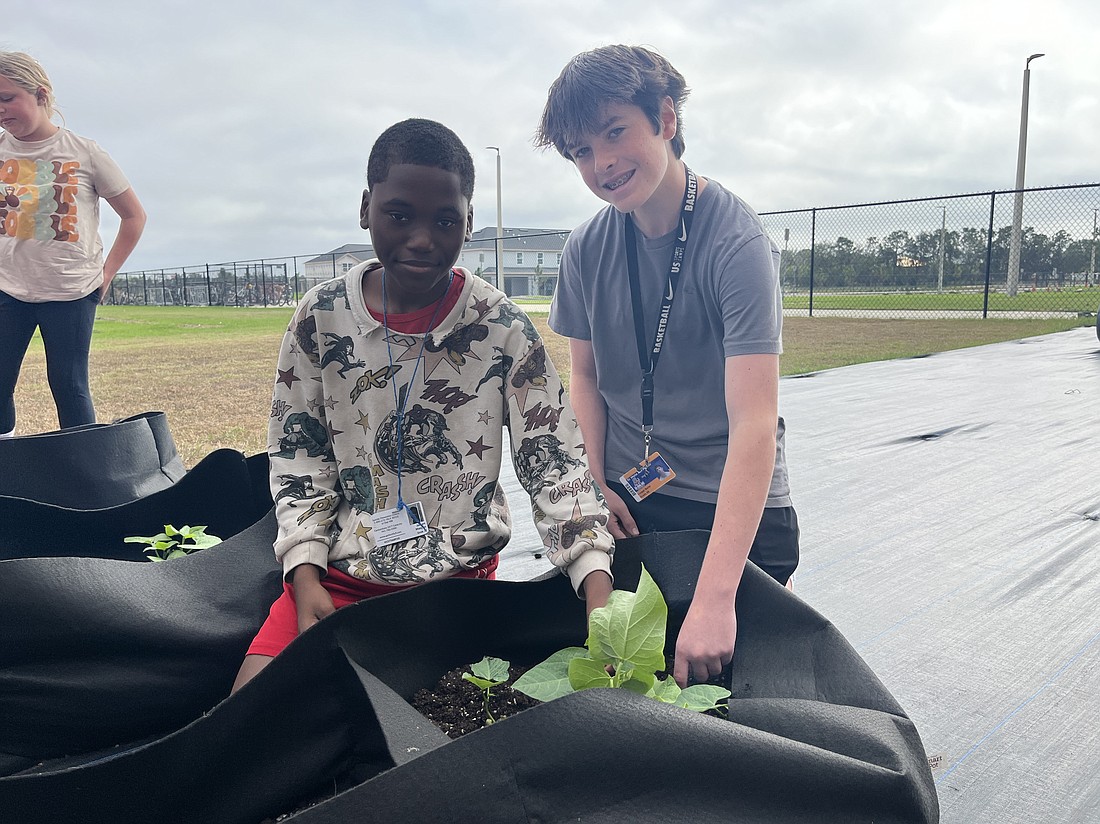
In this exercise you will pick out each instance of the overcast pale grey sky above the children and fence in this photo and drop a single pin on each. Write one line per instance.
(245, 127)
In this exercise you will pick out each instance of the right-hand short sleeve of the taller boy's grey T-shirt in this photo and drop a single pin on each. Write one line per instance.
(751, 301)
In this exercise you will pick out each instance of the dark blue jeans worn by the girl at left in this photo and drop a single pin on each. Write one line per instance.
(67, 334)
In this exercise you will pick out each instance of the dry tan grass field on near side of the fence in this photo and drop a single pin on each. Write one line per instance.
(212, 370)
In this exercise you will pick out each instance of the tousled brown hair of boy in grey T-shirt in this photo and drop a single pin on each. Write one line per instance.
(592, 81)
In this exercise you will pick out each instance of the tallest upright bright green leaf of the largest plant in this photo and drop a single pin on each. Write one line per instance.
(631, 628)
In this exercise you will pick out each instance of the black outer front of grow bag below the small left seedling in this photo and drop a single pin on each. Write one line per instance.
(101, 653)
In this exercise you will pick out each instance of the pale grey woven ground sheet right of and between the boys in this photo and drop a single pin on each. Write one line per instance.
(951, 530)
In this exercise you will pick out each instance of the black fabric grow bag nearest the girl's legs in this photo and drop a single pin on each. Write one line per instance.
(92, 467)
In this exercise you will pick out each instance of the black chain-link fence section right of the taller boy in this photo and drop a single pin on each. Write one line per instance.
(945, 257)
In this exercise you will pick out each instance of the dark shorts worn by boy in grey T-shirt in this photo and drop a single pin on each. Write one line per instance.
(775, 550)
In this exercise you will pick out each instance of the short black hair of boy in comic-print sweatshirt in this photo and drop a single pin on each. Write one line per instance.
(423, 144)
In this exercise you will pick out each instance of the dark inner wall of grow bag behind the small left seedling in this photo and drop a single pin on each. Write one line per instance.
(226, 492)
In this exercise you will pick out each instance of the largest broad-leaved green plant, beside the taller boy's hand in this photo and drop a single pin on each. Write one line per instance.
(625, 650)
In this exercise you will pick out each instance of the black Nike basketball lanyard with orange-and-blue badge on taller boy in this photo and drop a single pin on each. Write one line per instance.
(648, 355)
